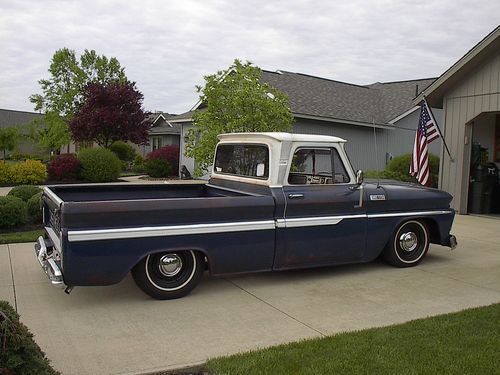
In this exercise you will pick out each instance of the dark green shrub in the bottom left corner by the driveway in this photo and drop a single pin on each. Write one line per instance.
(21, 354)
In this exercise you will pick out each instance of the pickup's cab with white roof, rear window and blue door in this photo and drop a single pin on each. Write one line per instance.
(314, 187)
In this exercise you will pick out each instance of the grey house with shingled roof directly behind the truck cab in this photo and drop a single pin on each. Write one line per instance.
(378, 120)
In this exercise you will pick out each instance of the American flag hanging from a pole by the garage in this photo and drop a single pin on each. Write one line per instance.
(427, 132)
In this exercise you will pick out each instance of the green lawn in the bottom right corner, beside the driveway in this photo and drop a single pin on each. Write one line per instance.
(467, 342)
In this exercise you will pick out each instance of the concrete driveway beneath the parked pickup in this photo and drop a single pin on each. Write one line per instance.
(119, 330)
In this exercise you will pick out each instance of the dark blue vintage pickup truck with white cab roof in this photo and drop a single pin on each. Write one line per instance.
(274, 201)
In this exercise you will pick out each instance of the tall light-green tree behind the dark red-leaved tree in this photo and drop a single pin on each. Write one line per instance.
(63, 93)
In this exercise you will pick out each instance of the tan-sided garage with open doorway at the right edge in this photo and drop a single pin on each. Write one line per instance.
(469, 95)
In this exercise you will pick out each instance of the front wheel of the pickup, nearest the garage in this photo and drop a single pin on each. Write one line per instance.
(408, 245)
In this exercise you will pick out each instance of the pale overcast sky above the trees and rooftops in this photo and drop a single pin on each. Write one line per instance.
(167, 46)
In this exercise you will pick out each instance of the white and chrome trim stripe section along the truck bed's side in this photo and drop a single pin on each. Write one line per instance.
(173, 230)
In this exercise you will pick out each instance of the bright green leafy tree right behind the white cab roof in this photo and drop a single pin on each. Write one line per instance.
(235, 100)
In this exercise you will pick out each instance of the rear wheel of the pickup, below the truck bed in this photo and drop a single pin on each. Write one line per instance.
(169, 275)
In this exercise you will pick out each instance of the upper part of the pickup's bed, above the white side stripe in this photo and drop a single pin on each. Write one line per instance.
(135, 205)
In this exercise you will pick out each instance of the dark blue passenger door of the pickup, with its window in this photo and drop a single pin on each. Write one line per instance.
(323, 223)
